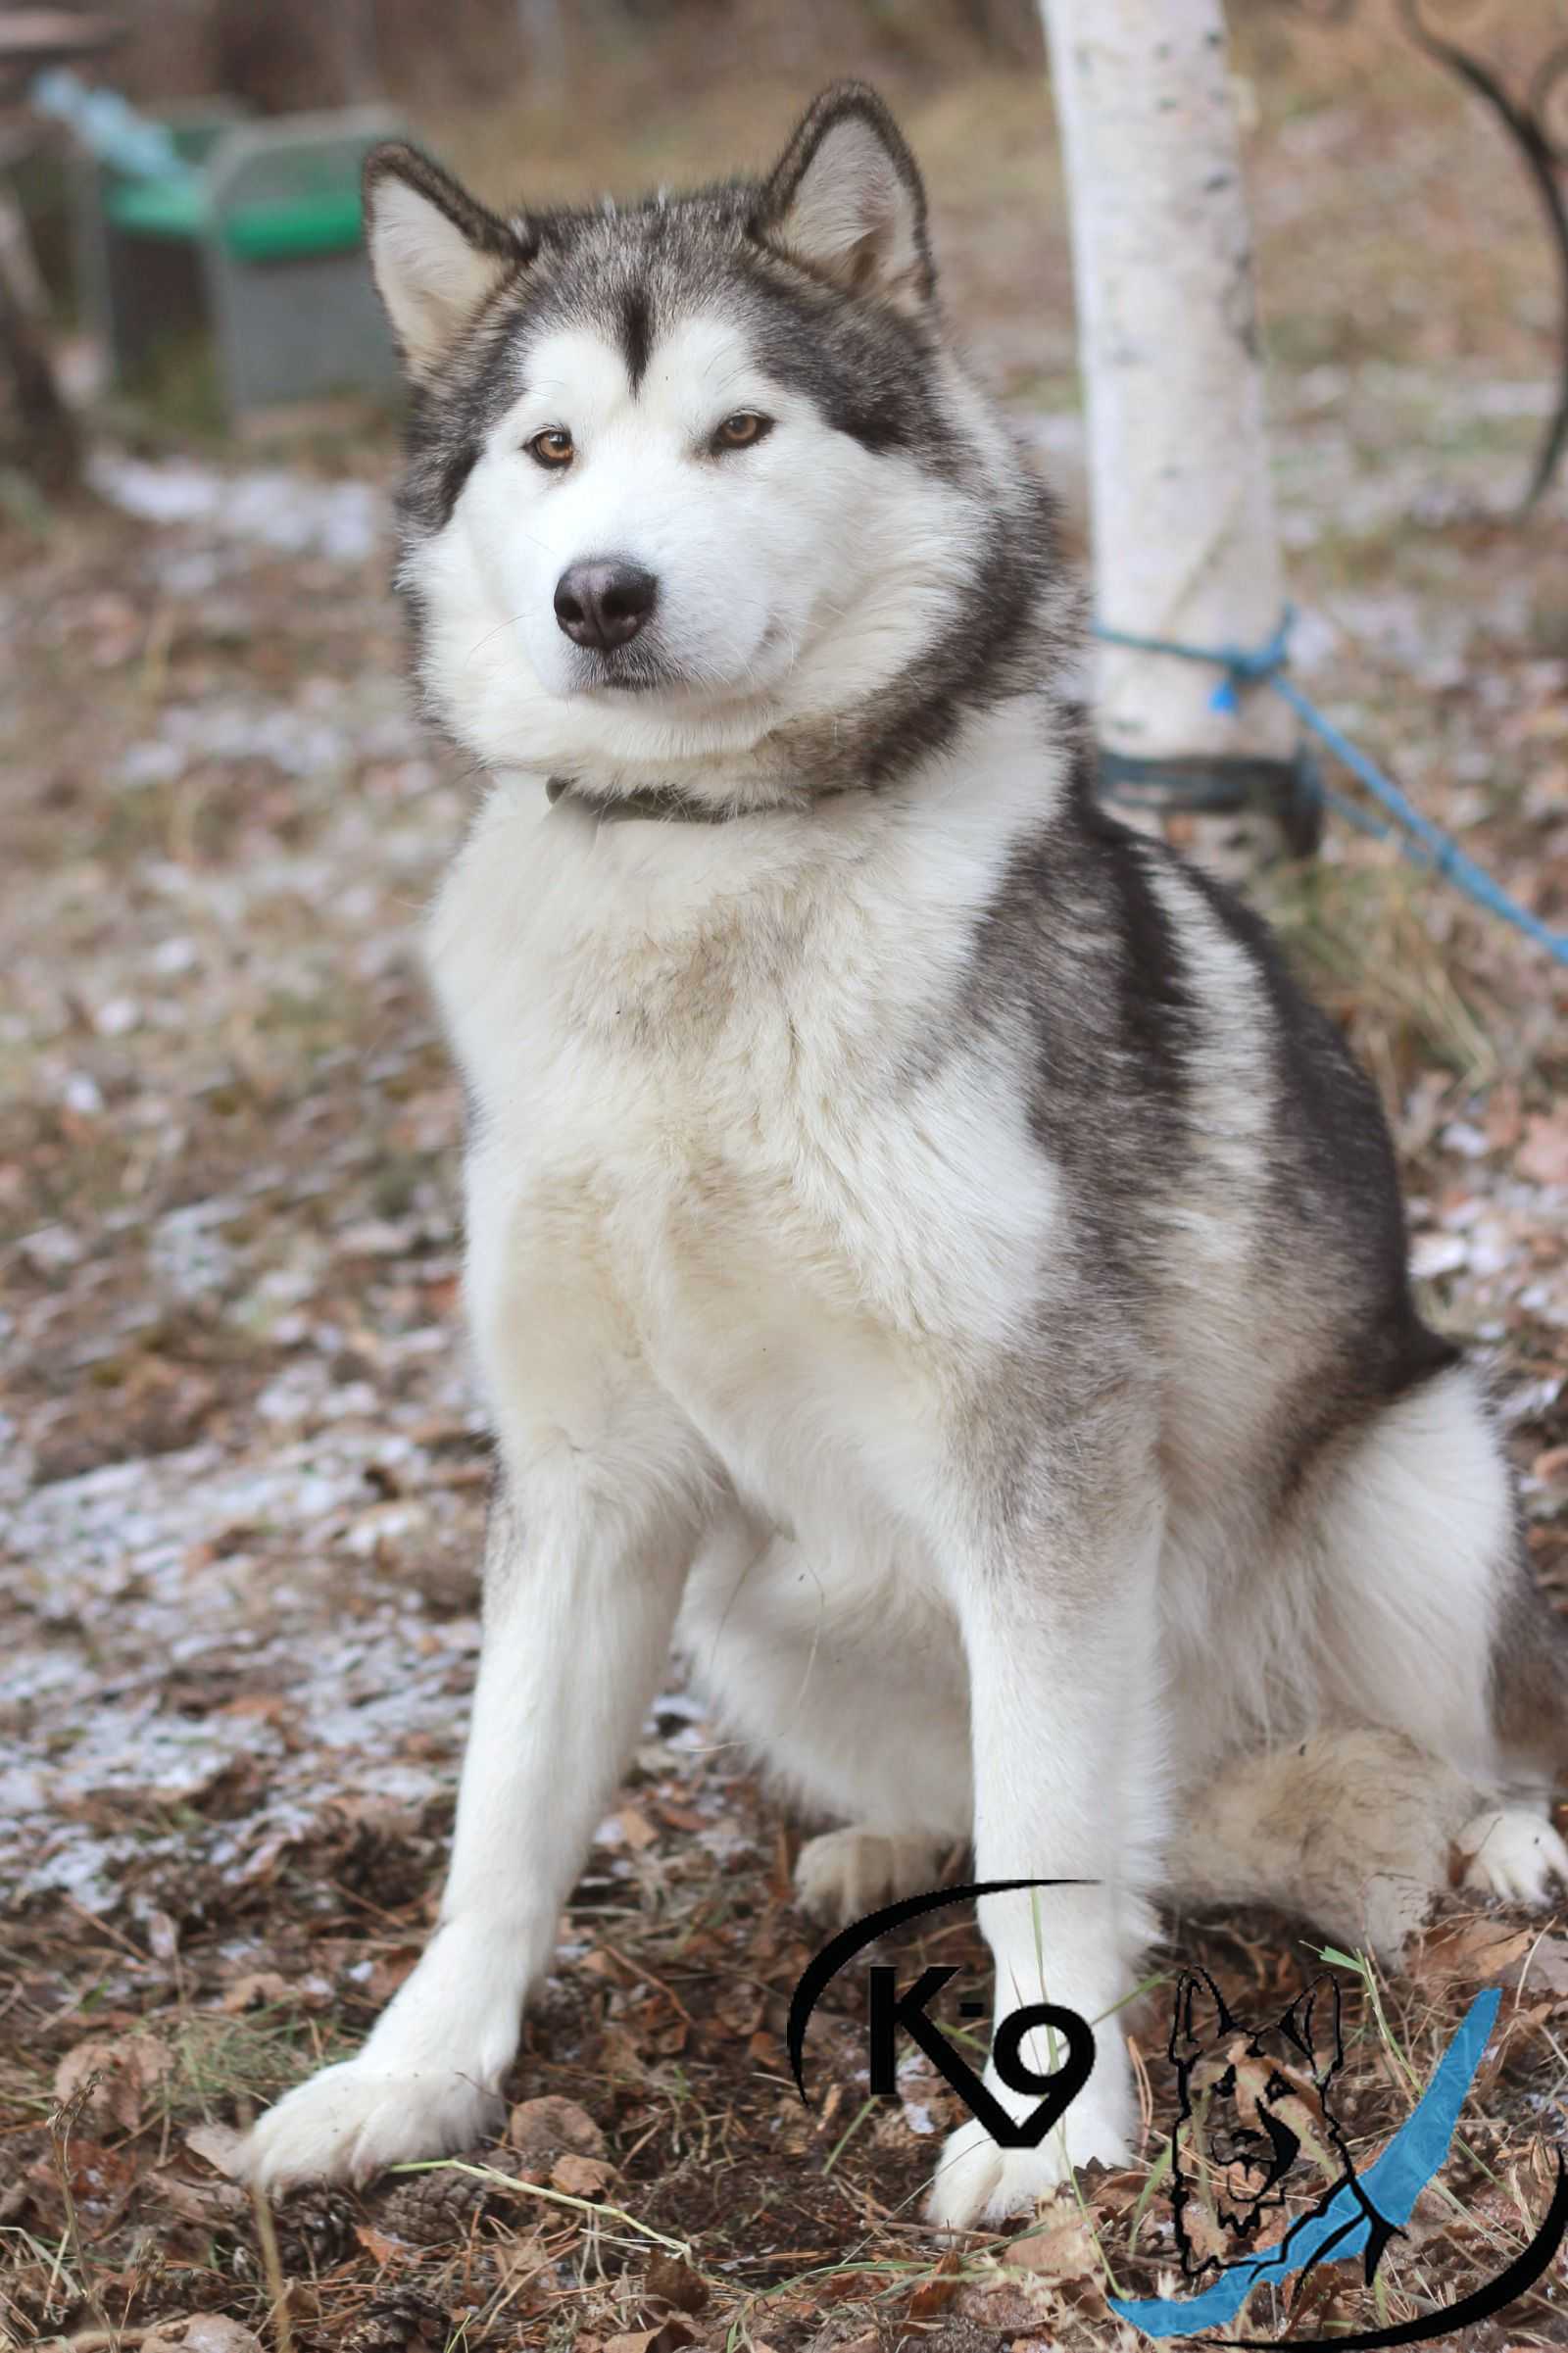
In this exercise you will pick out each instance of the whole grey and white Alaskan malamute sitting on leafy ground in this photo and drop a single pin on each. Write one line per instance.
(924, 1255)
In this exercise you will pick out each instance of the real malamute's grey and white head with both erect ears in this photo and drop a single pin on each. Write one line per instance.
(698, 474)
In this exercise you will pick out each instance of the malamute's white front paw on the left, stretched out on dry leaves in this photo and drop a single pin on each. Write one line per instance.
(354, 2121)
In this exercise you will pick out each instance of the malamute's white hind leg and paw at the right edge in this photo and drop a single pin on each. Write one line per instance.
(1430, 1625)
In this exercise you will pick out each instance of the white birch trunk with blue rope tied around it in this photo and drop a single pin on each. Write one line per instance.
(1181, 500)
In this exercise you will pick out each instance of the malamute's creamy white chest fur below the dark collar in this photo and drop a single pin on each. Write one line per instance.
(736, 1133)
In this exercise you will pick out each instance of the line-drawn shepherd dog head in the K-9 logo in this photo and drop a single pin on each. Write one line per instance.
(1254, 2100)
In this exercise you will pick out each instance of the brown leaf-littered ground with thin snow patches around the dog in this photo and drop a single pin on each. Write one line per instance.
(244, 1472)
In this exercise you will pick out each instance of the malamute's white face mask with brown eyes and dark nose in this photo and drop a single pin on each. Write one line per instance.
(672, 568)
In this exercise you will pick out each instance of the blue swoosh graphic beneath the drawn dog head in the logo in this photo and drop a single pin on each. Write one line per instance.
(1343, 2225)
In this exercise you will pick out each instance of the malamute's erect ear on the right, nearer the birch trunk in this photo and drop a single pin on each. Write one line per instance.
(849, 201)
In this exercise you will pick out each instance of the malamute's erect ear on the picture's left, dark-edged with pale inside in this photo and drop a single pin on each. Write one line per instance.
(434, 251)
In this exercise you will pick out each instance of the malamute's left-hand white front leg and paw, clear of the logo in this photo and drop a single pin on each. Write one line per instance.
(583, 1582)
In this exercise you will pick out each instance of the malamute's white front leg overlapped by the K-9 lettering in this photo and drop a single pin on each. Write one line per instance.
(1061, 1639)
